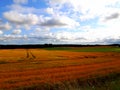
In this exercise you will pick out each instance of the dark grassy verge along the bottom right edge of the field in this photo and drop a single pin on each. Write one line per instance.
(110, 82)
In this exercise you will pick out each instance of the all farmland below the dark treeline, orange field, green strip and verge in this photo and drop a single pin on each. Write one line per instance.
(60, 68)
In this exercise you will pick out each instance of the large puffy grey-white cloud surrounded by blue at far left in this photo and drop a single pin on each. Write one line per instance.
(21, 20)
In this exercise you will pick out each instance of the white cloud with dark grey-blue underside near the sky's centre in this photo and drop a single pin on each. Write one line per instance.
(60, 21)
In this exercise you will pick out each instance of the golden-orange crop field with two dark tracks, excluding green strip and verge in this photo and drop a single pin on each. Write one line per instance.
(34, 67)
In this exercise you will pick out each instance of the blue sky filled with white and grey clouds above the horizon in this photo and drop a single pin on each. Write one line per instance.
(60, 21)
